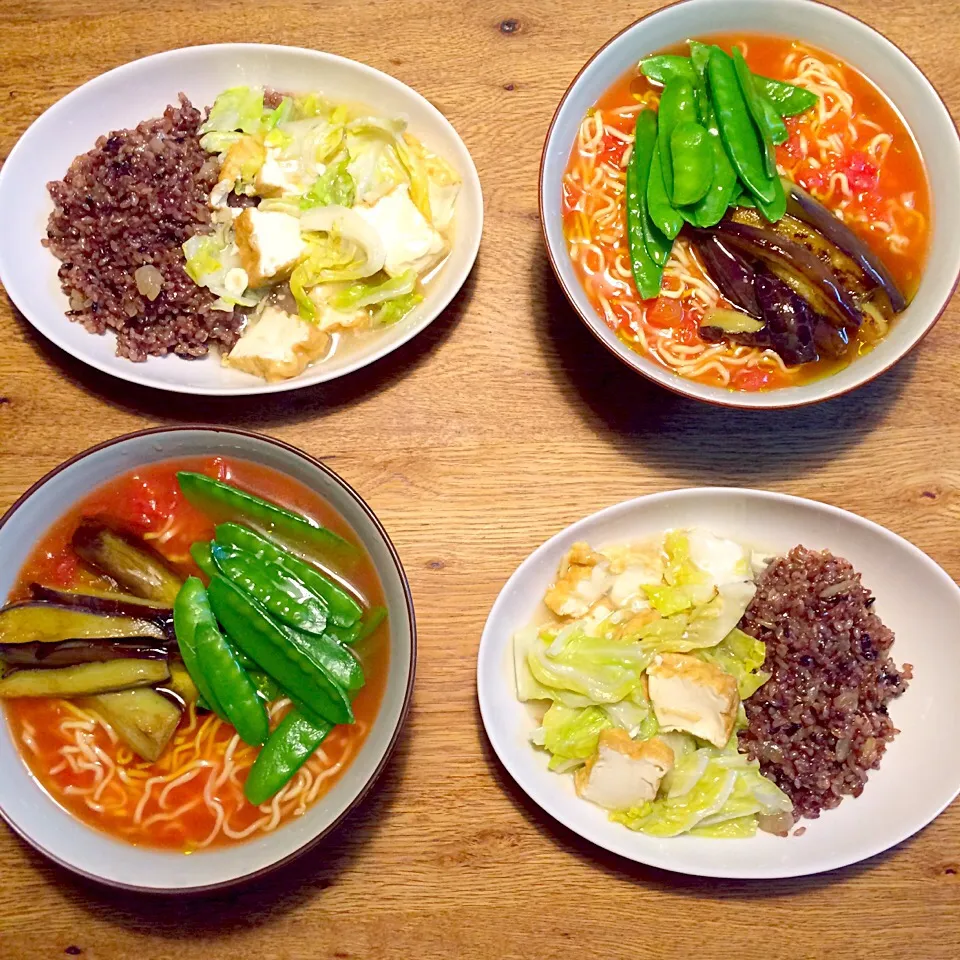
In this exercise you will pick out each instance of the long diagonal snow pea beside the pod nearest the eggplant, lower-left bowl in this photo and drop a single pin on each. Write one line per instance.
(254, 631)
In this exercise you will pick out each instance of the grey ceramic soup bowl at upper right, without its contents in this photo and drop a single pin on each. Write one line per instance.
(911, 96)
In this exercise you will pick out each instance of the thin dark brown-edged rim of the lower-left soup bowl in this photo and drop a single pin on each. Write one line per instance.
(407, 696)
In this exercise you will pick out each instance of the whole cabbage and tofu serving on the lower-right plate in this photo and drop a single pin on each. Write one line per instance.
(638, 679)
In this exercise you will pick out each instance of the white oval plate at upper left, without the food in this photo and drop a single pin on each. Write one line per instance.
(141, 90)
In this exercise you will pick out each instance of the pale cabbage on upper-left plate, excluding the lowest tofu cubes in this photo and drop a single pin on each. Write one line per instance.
(327, 165)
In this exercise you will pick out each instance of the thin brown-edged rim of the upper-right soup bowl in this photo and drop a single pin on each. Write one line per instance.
(675, 383)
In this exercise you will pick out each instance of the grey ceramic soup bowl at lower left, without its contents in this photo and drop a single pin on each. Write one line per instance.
(59, 834)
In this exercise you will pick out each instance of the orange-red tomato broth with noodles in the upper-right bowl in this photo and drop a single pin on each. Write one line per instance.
(894, 186)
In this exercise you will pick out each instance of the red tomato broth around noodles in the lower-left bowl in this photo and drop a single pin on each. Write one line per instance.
(148, 501)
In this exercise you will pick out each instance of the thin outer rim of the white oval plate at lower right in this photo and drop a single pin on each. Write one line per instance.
(489, 640)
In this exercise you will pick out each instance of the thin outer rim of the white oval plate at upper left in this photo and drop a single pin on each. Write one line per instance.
(471, 239)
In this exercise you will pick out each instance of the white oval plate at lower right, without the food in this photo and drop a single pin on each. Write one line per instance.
(920, 773)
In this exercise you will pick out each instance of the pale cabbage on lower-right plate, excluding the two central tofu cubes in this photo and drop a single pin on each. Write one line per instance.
(613, 612)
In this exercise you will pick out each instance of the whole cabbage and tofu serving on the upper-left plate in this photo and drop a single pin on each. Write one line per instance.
(328, 219)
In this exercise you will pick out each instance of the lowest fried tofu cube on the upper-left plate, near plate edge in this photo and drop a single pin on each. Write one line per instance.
(279, 345)
